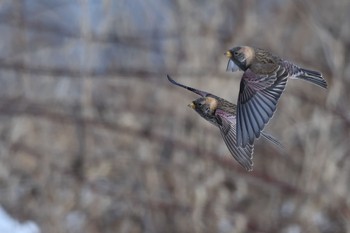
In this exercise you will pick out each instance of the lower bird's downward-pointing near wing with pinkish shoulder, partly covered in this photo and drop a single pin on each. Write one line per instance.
(227, 126)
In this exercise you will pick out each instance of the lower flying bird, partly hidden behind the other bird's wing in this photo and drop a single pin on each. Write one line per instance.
(222, 114)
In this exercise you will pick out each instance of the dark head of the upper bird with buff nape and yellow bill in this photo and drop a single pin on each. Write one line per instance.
(240, 58)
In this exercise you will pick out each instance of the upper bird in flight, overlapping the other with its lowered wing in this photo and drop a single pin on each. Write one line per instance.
(263, 81)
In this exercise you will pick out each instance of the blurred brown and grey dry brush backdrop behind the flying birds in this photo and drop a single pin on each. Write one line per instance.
(93, 138)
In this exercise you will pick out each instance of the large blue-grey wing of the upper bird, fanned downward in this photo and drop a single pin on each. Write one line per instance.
(257, 101)
